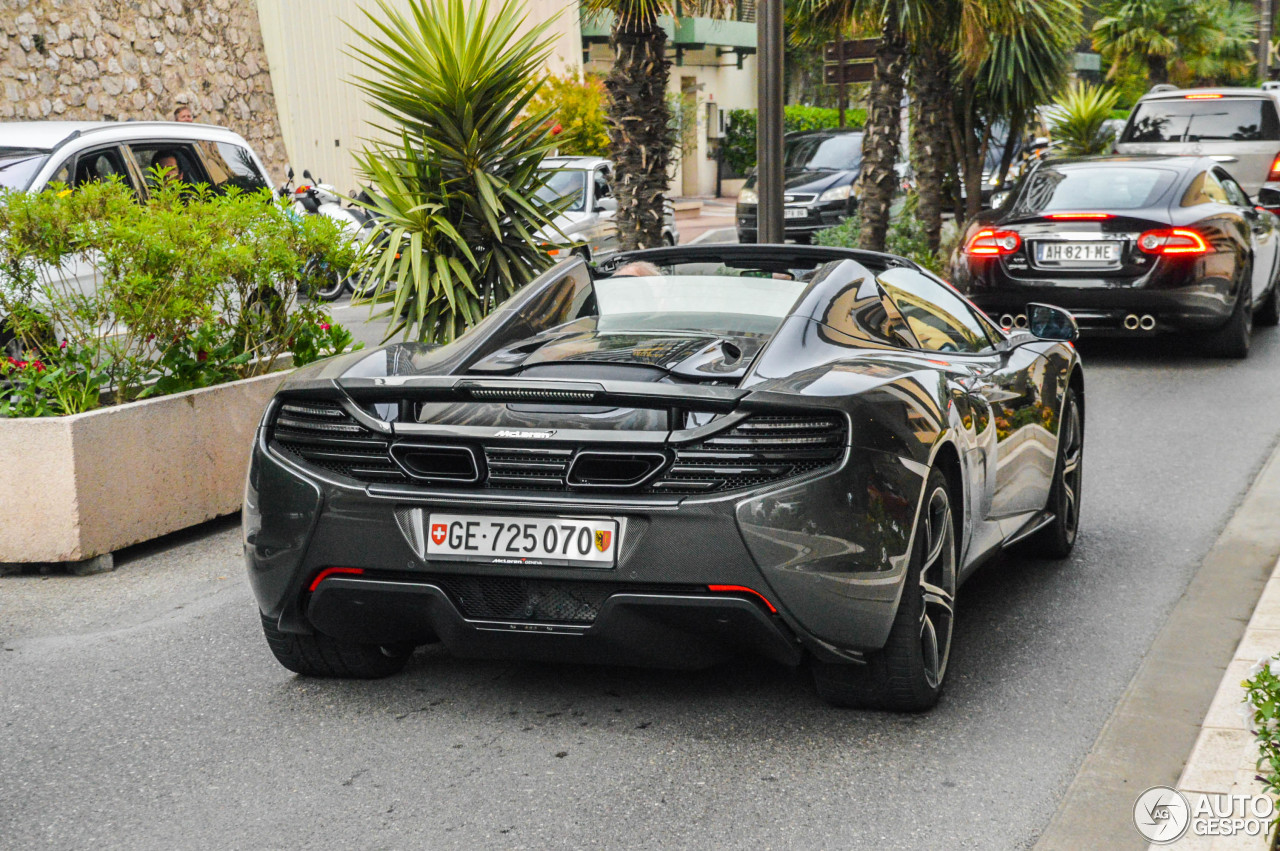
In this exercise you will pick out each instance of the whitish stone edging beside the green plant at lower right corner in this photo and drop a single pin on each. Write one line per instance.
(1223, 761)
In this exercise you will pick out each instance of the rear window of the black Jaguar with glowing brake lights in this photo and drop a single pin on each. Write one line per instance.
(1101, 187)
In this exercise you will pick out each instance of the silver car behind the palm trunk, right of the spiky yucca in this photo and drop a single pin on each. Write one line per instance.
(589, 219)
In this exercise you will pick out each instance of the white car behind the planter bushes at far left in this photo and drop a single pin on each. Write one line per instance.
(38, 154)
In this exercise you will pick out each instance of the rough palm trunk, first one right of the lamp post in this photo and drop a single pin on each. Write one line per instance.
(880, 144)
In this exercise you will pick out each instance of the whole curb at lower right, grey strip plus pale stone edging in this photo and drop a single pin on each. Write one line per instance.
(1154, 733)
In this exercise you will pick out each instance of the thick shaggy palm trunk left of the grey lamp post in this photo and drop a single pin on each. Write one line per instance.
(641, 138)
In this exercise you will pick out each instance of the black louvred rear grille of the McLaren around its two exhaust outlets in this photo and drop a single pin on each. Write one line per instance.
(762, 450)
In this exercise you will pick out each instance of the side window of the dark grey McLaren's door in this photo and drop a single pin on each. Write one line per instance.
(939, 318)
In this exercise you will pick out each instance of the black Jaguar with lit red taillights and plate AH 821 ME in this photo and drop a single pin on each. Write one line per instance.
(1131, 246)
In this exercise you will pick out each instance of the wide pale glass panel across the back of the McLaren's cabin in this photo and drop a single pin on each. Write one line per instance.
(696, 304)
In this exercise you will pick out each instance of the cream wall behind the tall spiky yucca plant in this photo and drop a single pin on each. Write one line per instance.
(324, 118)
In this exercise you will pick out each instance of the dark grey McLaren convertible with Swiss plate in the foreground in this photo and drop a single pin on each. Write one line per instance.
(696, 452)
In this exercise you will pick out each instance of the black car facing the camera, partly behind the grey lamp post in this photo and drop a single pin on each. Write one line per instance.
(821, 171)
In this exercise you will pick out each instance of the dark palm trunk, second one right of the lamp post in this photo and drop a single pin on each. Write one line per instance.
(931, 141)
